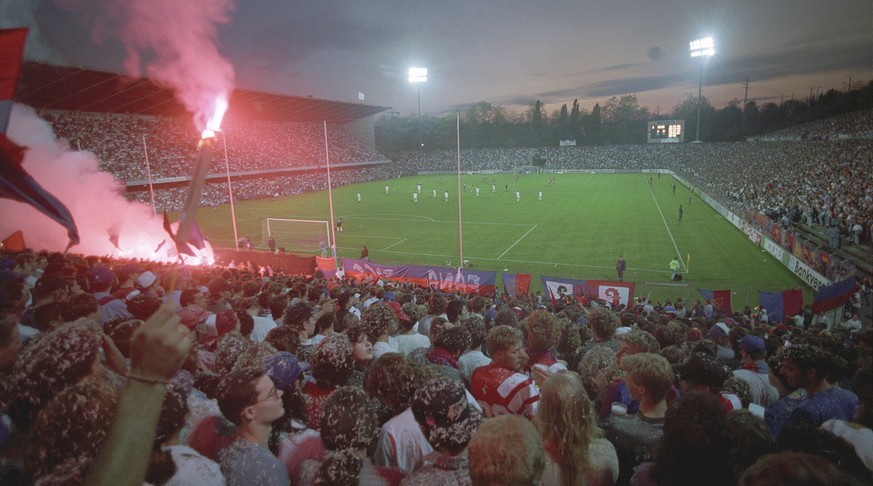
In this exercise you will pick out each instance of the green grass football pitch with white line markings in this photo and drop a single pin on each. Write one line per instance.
(578, 230)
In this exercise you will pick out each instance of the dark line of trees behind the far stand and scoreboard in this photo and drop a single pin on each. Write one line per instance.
(621, 120)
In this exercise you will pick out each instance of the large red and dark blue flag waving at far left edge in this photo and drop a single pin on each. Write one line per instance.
(15, 182)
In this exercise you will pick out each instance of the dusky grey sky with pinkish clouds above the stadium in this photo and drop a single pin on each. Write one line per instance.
(508, 53)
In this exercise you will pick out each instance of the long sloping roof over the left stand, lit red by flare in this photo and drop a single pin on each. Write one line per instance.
(64, 88)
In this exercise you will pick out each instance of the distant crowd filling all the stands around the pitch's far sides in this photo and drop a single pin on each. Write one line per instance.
(820, 181)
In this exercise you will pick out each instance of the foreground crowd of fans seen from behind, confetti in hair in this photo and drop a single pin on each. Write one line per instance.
(125, 372)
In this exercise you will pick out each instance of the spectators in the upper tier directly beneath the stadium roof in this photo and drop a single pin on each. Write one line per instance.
(120, 143)
